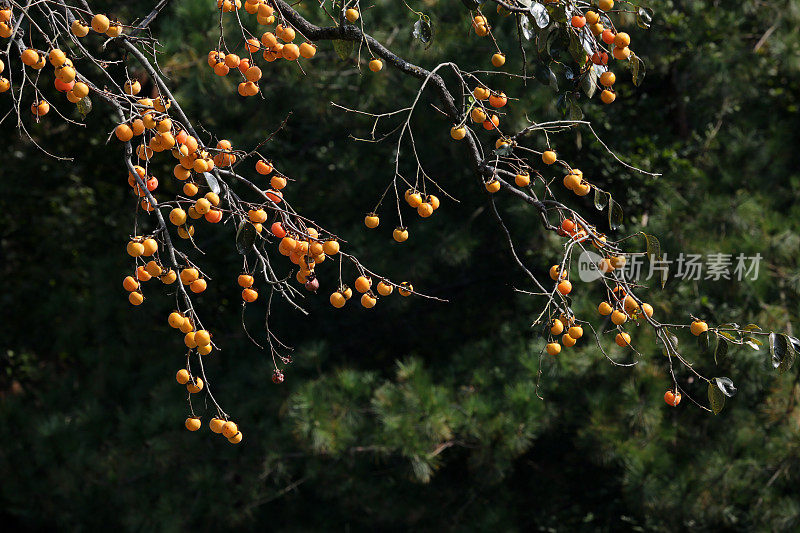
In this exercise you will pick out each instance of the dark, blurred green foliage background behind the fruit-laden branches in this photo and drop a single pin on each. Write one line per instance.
(416, 414)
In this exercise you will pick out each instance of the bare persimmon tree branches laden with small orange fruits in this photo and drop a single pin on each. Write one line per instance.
(286, 253)
